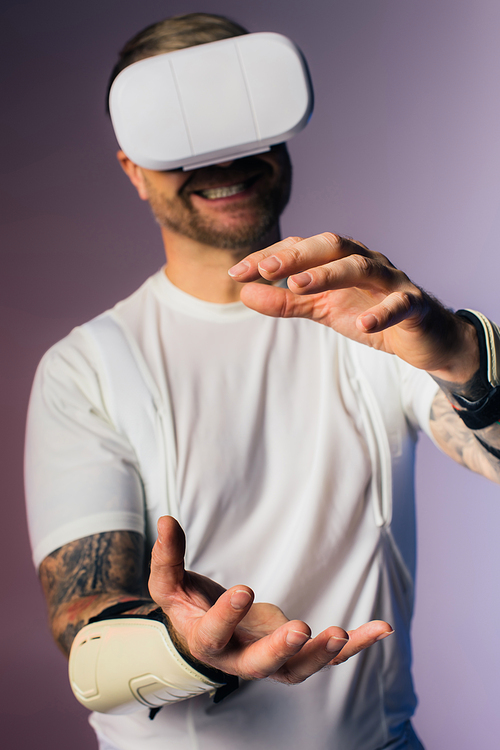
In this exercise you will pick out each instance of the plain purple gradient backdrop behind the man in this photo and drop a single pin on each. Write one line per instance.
(402, 152)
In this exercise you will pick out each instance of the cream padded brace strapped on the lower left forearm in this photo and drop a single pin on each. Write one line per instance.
(124, 664)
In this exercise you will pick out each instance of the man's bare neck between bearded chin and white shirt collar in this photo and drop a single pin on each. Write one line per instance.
(201, 270)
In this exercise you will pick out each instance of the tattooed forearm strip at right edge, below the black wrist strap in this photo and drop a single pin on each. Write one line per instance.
(475, 449)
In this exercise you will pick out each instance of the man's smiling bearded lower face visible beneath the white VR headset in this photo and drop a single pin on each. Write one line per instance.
(229, 207)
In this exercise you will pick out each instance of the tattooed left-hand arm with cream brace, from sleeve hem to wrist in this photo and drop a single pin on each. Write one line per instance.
(96, 592)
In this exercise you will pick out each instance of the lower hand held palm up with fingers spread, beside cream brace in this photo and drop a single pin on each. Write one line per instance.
(225, 629)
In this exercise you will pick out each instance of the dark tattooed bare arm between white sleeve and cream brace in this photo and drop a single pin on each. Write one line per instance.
(86, 576)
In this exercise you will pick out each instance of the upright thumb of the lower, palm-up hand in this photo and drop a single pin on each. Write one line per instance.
(167, 560)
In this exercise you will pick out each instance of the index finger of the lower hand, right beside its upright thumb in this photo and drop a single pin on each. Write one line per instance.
(215, 629)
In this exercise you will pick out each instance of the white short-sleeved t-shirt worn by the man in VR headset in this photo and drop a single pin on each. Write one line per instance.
(286, 452)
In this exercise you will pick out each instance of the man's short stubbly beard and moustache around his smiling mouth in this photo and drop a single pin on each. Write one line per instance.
(245, 226)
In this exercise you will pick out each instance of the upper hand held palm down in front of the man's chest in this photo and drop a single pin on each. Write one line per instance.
(359, 293)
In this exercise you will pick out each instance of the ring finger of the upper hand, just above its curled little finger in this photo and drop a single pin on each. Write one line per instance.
(374, 273)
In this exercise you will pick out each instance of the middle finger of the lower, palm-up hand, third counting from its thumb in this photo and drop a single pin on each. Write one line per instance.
(265, 656)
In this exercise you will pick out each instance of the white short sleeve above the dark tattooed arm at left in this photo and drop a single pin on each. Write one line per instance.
(81, 474)
